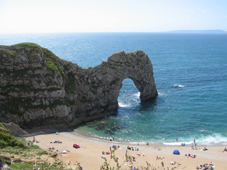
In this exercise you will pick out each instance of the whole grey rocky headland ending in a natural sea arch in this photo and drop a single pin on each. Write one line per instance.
(38, 88)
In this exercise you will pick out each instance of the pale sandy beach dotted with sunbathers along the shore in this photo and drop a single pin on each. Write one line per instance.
(89, 155)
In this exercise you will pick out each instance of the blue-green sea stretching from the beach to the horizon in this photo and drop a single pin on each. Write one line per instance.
(190, 72)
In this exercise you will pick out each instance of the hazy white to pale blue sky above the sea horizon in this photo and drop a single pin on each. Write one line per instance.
(22, 16)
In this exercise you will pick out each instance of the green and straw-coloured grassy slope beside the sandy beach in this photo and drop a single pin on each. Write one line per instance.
(24, 156)
